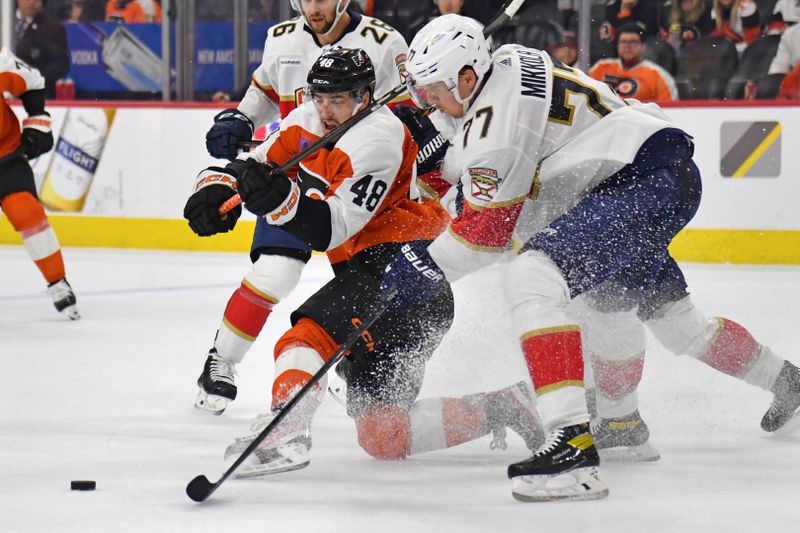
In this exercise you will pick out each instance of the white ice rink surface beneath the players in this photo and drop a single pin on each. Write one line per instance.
(109, 398)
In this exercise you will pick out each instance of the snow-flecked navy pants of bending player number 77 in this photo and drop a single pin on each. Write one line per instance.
(617, 236)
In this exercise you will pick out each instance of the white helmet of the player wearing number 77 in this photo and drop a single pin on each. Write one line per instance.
(441, 49)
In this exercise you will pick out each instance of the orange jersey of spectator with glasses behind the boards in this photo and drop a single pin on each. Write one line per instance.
(646, 81)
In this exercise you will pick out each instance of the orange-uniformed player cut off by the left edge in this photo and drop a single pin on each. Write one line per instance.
(18, 197)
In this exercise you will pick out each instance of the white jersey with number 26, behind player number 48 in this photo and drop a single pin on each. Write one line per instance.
(291, 49)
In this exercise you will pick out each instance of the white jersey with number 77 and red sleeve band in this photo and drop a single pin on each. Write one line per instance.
(537, 138)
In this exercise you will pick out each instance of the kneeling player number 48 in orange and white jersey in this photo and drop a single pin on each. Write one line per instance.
(357, 200)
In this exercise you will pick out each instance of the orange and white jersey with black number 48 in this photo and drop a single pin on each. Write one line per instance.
(367, 178)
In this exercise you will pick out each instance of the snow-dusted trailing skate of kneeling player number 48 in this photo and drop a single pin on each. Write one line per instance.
(514, 408)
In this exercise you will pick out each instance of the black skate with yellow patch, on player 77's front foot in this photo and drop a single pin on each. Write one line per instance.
(565, 467)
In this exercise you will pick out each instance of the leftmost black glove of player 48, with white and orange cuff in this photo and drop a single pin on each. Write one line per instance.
(212, 188)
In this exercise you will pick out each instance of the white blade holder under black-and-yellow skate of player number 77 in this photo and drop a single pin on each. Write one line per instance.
(575, 485)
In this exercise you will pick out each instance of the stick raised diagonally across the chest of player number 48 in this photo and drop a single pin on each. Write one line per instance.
(500, 20)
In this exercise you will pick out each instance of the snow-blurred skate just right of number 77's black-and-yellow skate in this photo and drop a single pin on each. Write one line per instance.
(624, 439)
